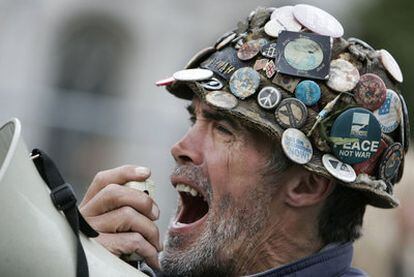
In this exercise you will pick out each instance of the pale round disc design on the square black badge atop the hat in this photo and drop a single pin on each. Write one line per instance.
(303, 54)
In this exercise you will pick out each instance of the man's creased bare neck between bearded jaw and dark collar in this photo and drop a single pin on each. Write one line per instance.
(288, 239)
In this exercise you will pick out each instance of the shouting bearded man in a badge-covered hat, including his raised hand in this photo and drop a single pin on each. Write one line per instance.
(294, 131)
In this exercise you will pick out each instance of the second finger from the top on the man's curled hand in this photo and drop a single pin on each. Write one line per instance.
(115, 196)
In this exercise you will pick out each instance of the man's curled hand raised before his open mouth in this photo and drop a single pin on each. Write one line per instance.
(123, 216)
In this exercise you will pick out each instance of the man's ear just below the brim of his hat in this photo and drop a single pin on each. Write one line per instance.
(306, 188)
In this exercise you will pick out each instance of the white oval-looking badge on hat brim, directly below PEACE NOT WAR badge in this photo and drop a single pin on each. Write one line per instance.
(338, 169)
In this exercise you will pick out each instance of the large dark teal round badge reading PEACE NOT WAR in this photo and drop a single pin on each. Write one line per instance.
(356, 135)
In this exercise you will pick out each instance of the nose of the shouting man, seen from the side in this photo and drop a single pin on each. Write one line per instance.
(189, 148)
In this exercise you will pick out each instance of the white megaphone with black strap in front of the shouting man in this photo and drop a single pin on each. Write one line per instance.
(35, 238)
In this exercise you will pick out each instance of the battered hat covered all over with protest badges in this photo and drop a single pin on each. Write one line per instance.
(333, 103)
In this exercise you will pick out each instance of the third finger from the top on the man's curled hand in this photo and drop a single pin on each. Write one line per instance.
(126, 219)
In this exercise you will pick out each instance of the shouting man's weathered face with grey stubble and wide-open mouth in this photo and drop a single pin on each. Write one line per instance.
(224, 201)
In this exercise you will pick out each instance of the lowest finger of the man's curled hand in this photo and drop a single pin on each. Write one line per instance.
(127, 243)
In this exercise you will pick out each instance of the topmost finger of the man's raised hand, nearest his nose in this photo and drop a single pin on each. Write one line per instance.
(119, 175)
